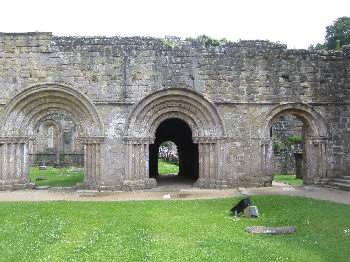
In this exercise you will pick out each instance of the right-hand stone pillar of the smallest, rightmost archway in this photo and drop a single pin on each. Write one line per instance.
(315, 159)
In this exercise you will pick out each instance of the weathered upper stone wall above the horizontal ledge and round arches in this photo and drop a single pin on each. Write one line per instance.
(125, 69)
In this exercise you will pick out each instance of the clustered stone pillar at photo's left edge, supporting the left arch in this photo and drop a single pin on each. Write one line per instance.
(14, 163)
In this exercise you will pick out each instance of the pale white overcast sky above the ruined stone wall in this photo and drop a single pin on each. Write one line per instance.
(296, 23)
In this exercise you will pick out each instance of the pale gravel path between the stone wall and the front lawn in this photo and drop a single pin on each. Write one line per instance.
(177, 192)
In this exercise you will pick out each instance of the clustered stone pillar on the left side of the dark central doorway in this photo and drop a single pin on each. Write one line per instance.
(137, 164)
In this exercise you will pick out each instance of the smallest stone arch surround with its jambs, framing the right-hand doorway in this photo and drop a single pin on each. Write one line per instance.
(315, 140)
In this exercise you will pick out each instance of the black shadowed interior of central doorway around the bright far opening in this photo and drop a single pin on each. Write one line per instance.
(180, 133)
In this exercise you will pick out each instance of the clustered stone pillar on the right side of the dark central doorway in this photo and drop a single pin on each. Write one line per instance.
(209, 154)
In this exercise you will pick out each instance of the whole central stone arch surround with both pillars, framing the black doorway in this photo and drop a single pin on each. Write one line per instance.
(194, 109)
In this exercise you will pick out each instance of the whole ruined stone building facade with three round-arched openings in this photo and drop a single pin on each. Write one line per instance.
(115, 100)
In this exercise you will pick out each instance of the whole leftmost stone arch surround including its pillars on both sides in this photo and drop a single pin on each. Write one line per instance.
(22, 114)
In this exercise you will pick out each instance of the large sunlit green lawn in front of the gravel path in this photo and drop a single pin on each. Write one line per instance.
(199, 230)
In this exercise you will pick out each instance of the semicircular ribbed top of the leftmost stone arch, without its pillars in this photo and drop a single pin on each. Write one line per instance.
(28, 106)
